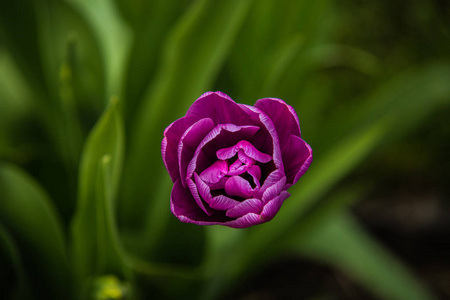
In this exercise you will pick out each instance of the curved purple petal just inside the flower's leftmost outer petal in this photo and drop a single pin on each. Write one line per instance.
(189, 142)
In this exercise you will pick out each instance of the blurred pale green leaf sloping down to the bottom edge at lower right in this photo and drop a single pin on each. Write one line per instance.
(342, 243)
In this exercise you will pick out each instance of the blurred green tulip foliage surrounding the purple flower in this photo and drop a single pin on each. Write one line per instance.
(87, 88)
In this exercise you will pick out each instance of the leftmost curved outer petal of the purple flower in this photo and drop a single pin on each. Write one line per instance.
(169, 145)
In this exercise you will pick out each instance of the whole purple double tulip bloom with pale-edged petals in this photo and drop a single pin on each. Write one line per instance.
(231, 164)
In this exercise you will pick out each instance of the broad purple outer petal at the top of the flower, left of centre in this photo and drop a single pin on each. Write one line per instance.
(220, 108)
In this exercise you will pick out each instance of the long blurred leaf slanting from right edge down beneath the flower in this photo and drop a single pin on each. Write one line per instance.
(408, 102)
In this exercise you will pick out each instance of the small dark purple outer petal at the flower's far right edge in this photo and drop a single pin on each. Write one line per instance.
(298, 156)
